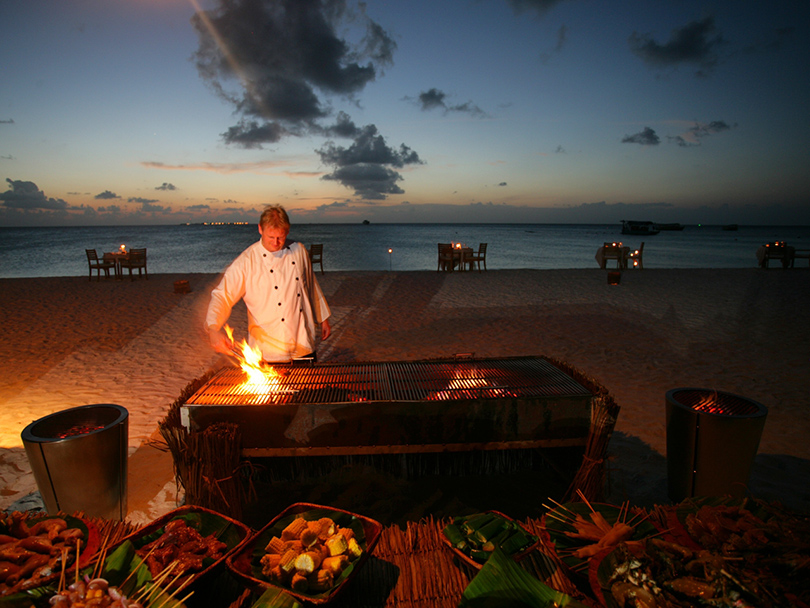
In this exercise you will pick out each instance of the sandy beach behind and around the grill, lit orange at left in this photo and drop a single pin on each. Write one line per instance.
(69, 341)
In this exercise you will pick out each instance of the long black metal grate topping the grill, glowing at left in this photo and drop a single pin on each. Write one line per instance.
(447, 380)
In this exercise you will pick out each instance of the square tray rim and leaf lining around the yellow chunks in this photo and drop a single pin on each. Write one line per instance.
(246, 563)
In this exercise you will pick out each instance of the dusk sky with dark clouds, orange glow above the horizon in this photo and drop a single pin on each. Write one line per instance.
(131, 112)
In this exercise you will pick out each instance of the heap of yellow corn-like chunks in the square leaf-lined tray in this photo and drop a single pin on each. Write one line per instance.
(310, 555)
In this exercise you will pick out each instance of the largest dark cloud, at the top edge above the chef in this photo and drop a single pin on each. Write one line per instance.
(285, 56)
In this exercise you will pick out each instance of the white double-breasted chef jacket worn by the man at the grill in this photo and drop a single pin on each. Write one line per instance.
(283, 298)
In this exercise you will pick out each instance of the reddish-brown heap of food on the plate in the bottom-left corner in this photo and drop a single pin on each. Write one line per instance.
(32, 551)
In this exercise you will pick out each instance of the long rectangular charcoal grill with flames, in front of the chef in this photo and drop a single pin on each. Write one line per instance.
(397, 407)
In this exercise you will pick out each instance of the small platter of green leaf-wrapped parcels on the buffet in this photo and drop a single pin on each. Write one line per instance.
(505, 533)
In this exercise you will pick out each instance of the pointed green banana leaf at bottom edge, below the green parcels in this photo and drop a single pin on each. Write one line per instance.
(502, 583)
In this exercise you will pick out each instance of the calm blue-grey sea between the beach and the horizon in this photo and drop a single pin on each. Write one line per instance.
(204, 248)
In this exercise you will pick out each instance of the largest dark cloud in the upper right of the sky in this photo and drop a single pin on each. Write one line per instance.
(694, 43)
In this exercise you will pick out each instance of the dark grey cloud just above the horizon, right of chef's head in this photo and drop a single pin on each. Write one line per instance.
(367, 166)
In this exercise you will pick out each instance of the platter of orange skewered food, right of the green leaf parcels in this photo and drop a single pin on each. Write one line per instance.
(573, 549)
